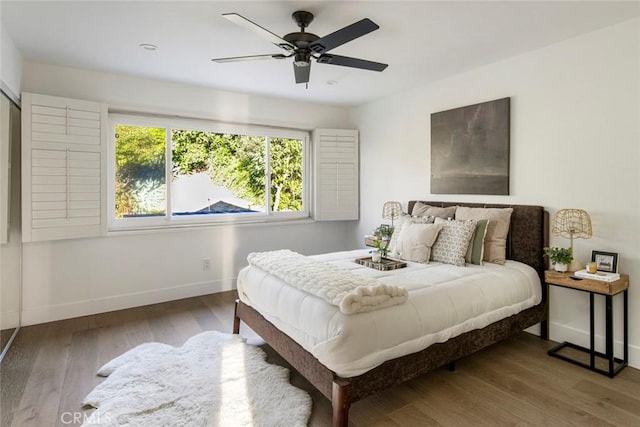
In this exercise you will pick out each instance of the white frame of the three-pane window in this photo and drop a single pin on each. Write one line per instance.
(175, 221)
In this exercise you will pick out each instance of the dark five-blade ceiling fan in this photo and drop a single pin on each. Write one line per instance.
(303, 46)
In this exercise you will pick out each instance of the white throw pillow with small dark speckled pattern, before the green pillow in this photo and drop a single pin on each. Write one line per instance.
(453, 241)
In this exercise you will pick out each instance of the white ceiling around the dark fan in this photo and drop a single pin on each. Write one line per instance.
(422, 41)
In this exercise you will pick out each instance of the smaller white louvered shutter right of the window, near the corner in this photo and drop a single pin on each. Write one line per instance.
(335, 174)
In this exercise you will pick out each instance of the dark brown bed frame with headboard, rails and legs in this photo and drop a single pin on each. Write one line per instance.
(528, 234)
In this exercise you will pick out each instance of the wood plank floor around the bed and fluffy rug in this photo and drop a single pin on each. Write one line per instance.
(51, 367)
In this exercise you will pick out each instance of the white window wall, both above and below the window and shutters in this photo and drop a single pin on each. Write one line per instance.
(63, 279)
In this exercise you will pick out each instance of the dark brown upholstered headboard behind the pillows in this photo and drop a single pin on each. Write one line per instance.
(528, 231)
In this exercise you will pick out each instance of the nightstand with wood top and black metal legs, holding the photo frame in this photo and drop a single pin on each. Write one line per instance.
(608, 289)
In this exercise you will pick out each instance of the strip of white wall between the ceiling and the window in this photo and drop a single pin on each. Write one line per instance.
(126, 93)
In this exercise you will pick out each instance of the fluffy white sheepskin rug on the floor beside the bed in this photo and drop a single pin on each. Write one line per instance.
(214, 379)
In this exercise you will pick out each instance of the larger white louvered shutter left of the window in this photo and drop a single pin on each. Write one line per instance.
(63, 168)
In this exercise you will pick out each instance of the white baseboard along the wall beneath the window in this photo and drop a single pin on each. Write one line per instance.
(51, 313)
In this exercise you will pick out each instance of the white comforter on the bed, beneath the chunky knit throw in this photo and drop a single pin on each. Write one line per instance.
(444, 301)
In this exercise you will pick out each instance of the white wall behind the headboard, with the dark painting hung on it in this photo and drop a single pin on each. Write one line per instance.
(575, 143)
